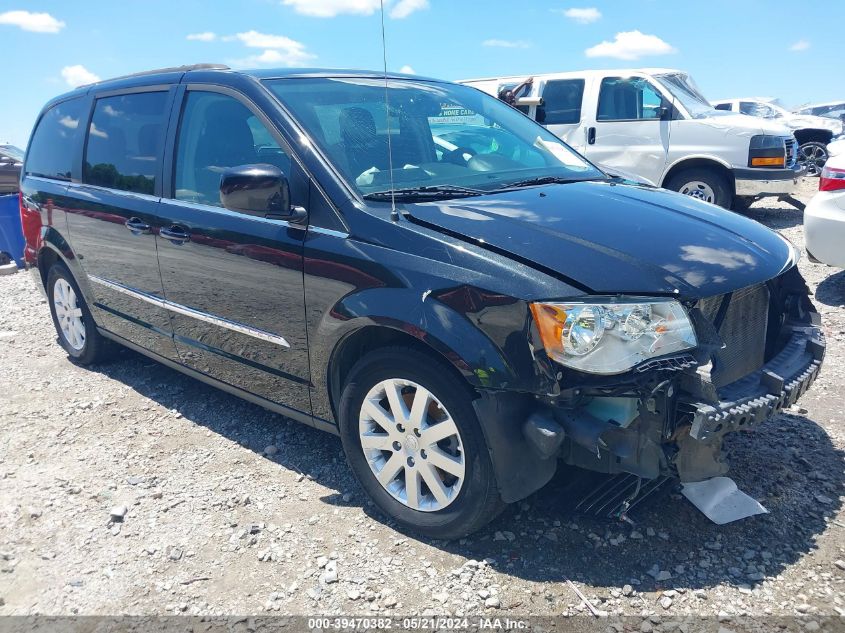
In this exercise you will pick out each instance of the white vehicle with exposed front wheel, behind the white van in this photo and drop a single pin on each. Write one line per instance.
(813, 133)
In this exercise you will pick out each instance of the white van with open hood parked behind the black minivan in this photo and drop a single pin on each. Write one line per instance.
(656, 124)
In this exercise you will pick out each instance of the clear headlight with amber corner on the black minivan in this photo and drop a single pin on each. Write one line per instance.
(612, 337)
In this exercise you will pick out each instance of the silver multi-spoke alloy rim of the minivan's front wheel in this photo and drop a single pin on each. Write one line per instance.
(412, 445)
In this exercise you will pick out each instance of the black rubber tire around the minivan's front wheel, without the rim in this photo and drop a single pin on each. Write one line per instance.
(478, 501)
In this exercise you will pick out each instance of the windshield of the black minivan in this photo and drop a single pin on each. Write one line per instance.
(441, 135)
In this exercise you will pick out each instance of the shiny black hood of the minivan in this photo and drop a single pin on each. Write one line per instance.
(607, 238)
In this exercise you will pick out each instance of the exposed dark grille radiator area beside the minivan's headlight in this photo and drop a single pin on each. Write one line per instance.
(742, 329)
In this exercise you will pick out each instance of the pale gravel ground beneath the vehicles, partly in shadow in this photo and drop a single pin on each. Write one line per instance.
(232, 510)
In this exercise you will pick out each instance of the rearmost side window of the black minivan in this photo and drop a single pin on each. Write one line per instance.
(54, 140)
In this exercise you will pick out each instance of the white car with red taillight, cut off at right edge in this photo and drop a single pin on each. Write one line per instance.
(824, 217)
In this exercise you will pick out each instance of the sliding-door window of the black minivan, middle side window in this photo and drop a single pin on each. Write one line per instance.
(123, 149)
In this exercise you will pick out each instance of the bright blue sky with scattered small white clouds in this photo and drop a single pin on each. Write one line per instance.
(777, 48)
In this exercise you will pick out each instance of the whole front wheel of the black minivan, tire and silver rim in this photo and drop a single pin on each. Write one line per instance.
(412, 439)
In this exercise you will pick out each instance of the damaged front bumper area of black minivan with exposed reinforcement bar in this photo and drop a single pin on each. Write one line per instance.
(670, 418)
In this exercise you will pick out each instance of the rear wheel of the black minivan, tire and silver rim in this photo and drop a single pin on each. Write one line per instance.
(75, 326)
